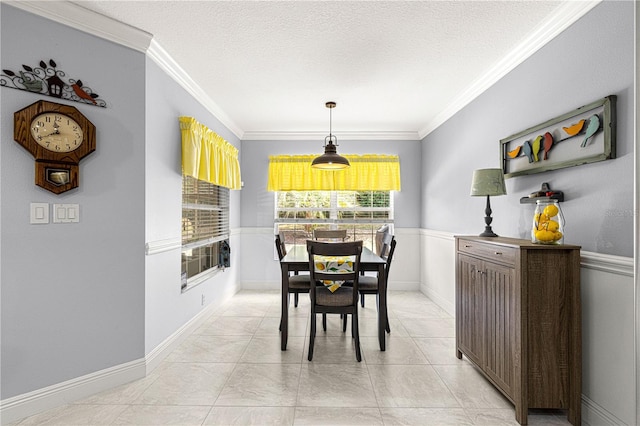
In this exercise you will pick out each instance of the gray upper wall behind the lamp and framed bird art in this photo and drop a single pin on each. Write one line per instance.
(588, 61)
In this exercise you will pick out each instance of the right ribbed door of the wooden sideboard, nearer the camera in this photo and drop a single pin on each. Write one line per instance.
(501, 326)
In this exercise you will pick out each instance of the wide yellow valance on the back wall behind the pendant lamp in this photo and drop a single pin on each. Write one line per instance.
(367, 173)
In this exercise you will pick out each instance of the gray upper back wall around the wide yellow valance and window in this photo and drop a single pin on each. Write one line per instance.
(257, 202)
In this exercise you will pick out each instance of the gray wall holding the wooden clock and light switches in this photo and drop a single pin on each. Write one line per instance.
(73, 294)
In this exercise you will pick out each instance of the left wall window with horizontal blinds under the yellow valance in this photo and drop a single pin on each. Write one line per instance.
(205, 228)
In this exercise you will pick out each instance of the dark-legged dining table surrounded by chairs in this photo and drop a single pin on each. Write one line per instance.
(297, 259)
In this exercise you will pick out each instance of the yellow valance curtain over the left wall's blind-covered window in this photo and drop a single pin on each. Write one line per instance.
(207, 156)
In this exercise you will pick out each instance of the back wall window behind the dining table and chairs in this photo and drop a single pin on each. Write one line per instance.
(361, 213)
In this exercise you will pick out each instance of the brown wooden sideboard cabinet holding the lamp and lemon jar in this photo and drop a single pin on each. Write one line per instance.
(518, 320)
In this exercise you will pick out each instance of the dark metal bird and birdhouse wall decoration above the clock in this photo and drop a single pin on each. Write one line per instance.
(47, 79)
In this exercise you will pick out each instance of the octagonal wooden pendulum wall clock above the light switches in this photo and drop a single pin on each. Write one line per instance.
(58, 136)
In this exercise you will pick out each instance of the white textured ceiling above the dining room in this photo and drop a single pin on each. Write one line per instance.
(391, 66)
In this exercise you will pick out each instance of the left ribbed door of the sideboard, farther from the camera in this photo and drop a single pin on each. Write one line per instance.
(471, 308)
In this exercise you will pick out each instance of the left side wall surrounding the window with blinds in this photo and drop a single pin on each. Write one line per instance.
(166, 308)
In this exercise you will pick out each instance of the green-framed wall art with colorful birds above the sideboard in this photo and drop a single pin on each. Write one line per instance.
(585, 135)
